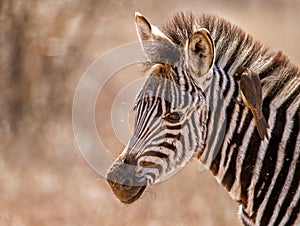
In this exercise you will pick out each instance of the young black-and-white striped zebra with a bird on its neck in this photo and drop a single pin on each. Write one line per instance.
(190, 107)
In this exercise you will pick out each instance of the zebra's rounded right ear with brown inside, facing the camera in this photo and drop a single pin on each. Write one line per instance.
(200, 52)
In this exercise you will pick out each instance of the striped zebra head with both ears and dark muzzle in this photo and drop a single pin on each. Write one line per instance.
(170, 111)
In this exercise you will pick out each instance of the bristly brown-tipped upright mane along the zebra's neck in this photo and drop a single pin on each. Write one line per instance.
(233, 45)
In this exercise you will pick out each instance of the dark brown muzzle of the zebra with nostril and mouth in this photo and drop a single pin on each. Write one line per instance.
(126, 186)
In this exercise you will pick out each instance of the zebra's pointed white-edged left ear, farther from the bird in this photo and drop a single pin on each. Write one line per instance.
(146, 31)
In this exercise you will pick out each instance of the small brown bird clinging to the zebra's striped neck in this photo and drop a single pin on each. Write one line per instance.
(251, 93)
